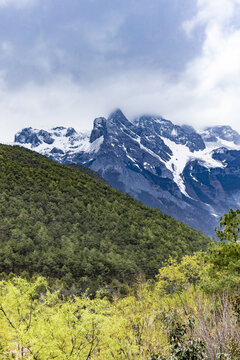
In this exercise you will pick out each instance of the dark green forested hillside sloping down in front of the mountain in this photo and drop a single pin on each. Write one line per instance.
(61, 223)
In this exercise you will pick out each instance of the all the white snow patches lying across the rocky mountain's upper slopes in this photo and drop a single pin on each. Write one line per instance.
(63, 144)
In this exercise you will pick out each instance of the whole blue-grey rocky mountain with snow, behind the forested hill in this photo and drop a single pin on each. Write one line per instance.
(194, 177)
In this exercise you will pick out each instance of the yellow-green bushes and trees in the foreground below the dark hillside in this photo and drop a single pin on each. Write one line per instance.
(189, 311)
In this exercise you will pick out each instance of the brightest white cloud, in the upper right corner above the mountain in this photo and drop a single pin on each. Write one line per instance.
(212, 80)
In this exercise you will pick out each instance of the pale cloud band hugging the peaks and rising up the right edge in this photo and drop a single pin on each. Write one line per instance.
(205, 94)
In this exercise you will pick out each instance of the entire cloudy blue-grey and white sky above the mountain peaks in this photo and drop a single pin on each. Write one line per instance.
(66, 62)
